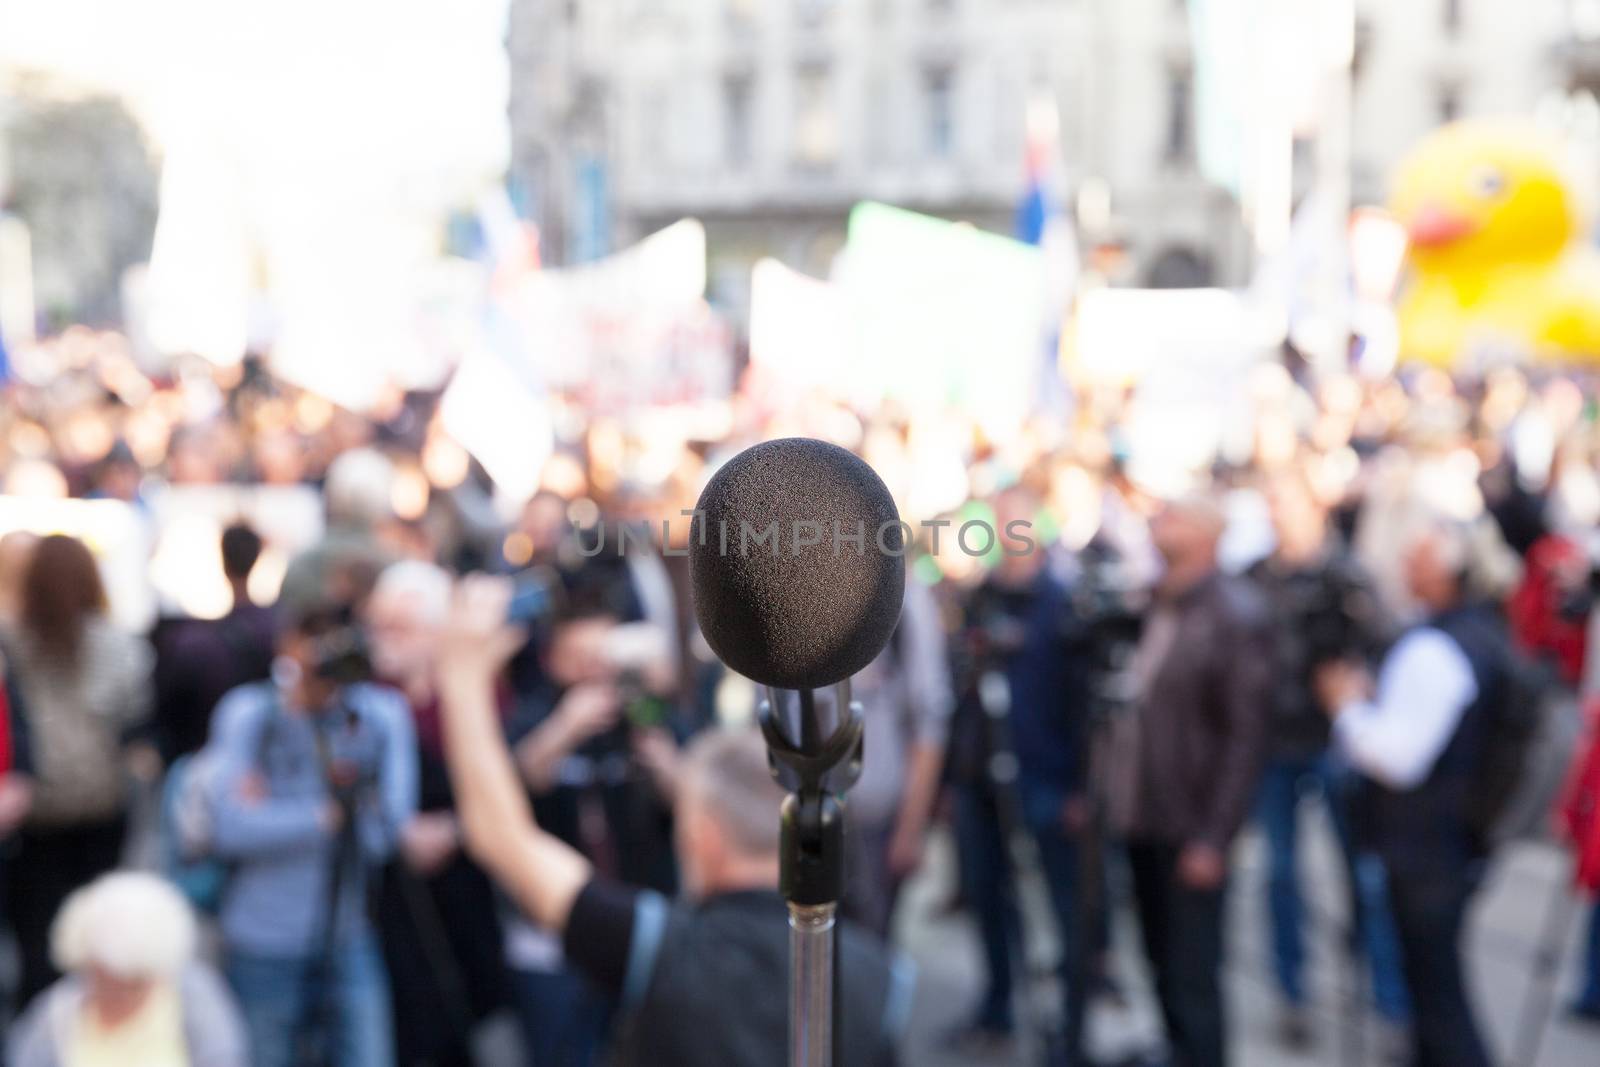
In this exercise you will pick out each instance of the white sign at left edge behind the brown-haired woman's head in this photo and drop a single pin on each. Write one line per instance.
(114, 532)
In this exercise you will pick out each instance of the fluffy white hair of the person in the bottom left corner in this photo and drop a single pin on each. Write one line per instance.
(130, 922)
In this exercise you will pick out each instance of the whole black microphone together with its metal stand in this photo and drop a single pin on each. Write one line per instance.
(798, 578)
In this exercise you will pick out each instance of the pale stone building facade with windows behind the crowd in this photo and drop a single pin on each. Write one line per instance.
(769, 119)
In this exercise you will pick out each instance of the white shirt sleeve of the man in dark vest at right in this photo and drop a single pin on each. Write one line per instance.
(1423, 690)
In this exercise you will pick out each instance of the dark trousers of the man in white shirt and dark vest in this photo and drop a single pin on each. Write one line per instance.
(1430, 914)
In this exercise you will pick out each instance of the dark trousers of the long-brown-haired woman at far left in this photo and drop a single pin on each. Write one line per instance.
(50, 865)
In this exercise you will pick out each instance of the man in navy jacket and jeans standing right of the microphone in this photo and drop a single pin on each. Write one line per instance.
(1020, 625)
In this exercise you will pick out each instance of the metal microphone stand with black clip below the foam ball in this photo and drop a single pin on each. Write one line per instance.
(817, 772)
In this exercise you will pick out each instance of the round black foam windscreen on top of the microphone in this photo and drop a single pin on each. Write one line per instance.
(798, 564)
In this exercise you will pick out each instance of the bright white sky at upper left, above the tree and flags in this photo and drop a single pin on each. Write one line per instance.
(415, 87)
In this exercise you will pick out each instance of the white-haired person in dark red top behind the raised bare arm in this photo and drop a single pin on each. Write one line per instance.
(436, 908)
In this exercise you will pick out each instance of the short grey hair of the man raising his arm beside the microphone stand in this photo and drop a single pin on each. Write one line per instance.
(727, 770)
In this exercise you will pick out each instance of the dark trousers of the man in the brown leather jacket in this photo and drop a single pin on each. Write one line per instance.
(1183, 940)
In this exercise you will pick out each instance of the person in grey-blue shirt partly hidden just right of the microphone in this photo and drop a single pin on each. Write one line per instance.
(906, 705)
